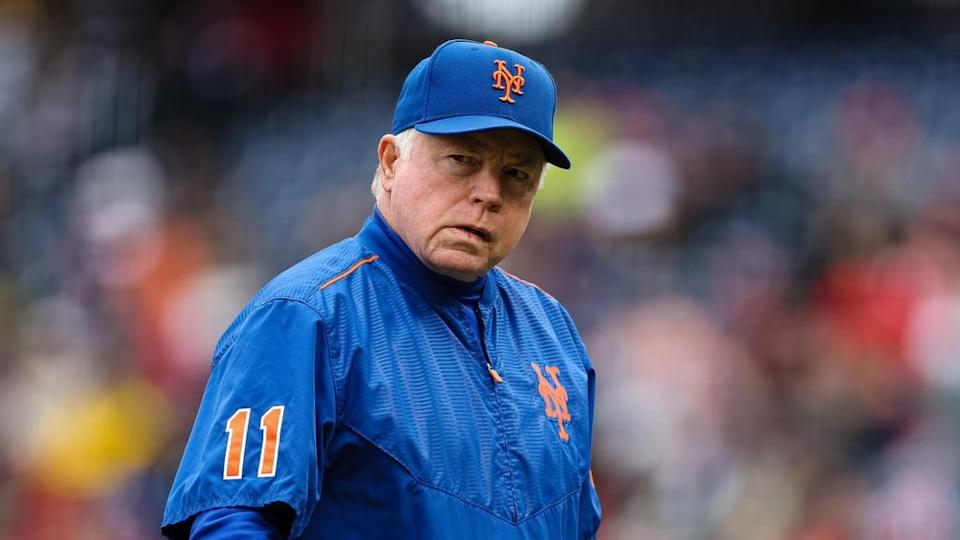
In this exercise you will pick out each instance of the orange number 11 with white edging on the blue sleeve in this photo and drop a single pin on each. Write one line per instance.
(270, 424)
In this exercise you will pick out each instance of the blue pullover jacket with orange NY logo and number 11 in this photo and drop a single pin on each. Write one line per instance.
(354, 389)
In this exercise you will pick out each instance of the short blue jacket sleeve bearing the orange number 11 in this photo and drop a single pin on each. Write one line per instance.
(266, 417)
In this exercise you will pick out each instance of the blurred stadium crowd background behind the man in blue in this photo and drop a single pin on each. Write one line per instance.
(760, 240)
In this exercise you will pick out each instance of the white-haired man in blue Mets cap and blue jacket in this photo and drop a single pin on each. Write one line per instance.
(397, 384)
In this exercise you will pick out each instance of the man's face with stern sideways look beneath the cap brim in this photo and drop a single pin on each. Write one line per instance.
(461, 202)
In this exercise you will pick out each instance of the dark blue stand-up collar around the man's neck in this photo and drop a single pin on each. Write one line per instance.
(377, 235)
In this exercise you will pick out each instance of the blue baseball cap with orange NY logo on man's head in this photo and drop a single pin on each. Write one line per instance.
(466, 86)
